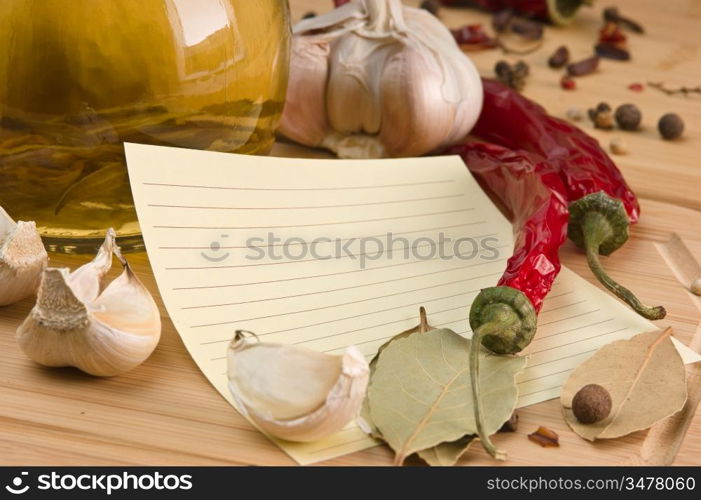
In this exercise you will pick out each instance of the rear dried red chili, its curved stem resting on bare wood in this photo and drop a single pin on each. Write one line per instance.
(602, 206)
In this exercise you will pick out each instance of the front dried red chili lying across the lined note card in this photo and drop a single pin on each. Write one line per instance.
(503, 318)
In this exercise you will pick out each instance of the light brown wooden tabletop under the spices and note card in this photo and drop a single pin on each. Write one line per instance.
(166, 413)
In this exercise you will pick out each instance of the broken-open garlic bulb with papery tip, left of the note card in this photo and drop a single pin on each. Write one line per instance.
(77, 323)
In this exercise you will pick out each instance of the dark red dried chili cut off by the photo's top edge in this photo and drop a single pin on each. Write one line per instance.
(557, 11)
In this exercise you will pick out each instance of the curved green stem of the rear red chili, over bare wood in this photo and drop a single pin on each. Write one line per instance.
(595, 230)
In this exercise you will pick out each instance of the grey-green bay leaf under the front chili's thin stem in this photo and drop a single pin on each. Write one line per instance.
(420, 392)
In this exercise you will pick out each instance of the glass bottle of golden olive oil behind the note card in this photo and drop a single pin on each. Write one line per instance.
(79, 78)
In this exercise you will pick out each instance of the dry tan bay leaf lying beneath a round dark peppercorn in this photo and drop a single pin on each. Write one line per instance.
(645, 377)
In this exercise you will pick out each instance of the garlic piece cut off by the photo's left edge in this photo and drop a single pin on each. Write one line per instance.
(22, 259)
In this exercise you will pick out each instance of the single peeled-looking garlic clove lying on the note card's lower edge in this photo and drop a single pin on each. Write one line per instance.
(294, 393)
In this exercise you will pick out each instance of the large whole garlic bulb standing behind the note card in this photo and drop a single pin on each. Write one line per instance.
(374, 78)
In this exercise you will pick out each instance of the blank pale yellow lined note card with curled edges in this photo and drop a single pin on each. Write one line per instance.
(332, 253)
